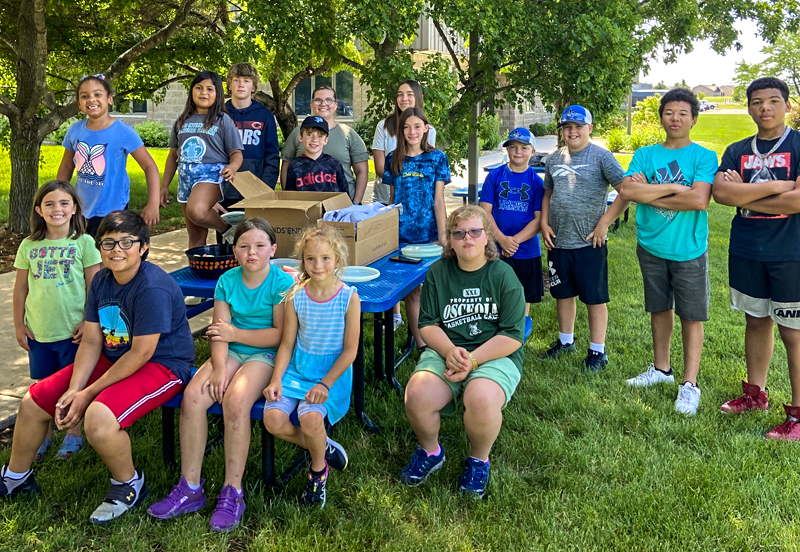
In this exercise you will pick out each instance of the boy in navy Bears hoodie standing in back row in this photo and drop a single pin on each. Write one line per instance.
(256, 126)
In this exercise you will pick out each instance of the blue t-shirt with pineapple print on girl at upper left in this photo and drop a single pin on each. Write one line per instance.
(101, 158)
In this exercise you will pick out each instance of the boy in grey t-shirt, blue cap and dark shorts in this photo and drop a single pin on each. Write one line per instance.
(574, 227)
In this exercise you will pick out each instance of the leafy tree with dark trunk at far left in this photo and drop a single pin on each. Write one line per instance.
(46, 45)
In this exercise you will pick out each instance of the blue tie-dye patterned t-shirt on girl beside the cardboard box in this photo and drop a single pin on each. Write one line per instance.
(415, 188)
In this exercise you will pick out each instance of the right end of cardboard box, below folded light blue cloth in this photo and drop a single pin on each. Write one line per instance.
(372, 239)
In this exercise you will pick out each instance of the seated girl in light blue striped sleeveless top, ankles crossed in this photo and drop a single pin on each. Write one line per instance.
(313, 369)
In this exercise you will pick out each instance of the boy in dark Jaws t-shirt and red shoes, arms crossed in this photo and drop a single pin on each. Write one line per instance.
(758, 176)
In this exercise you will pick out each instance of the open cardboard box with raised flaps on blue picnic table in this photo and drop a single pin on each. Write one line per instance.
(290, 213)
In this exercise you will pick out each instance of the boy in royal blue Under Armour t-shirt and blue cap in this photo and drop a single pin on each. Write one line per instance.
(512, 198)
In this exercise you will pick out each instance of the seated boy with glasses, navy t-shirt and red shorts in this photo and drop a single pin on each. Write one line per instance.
(135, 355)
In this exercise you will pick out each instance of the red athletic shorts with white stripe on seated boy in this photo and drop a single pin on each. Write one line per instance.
(143, 391)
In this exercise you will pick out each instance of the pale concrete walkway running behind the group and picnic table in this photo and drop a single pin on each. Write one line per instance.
(167, 251)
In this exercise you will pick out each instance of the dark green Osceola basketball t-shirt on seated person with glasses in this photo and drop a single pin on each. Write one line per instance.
(473, 307)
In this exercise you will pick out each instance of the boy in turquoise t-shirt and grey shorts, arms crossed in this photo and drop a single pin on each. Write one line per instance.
(671, 182)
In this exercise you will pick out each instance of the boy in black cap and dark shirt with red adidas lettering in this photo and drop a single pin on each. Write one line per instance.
(315, 171)
